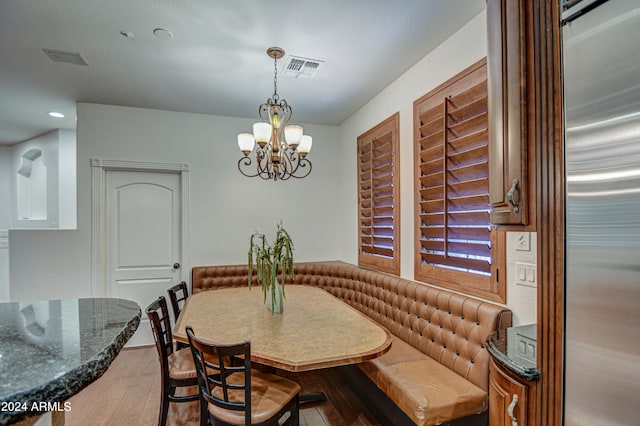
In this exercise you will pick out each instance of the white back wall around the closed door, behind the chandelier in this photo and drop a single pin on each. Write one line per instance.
(226, 207)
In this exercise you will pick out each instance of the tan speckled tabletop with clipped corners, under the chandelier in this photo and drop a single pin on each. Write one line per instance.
(315, 330)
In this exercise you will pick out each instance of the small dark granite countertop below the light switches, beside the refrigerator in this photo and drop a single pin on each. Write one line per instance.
(506, 348)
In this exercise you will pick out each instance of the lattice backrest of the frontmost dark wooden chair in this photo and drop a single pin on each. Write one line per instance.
(225, 368)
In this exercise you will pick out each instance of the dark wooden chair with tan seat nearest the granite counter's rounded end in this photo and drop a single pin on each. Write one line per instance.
(176, 366)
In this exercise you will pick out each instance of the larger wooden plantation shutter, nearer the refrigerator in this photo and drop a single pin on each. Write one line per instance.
(453, 235)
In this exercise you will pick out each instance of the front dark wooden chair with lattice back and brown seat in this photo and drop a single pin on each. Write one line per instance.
(231, 393)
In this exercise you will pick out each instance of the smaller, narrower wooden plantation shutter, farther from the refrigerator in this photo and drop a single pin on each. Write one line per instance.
(378, 190)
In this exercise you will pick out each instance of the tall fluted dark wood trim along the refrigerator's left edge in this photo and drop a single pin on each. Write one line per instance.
(544, 52)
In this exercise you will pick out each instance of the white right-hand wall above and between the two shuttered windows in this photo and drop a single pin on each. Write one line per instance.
(469, 45)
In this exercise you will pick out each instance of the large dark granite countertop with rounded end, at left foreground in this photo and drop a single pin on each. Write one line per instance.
(54, 348)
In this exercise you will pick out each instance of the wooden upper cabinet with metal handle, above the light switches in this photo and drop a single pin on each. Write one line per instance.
(509, 182)
